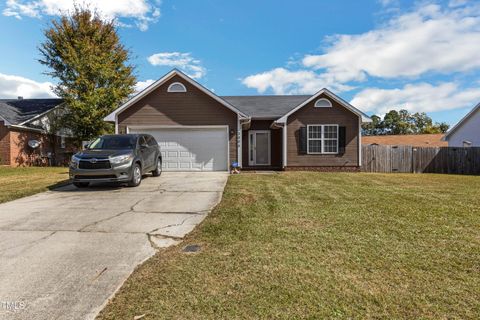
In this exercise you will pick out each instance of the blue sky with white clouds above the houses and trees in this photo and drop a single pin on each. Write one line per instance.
(379, 54)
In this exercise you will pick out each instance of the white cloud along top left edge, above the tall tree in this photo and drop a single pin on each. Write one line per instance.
(142, 12)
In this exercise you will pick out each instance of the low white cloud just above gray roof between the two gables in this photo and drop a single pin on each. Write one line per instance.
(283, 81)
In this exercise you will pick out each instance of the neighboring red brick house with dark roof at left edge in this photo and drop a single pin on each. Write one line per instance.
(24, 120)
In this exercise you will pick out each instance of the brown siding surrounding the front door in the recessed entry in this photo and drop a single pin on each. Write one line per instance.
(276, 143)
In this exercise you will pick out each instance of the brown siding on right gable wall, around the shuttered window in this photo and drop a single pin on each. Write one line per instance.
(337, 114)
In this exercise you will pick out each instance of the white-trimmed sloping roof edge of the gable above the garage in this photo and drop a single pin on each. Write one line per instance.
(112, 116)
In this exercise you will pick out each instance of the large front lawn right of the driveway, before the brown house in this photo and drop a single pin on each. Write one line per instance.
(321, 245)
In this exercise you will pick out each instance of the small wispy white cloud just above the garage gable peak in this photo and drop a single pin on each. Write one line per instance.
(180, 60)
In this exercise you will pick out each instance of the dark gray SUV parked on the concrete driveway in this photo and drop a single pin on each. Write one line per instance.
(116, 158)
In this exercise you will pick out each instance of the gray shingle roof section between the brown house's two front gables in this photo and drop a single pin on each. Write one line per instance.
(265, 106)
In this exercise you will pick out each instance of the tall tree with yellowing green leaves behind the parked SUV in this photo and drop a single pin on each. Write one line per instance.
(84, 53)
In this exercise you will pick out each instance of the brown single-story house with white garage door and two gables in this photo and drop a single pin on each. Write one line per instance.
(200, 131)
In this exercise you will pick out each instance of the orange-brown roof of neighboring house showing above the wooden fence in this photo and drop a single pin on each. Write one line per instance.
(415, 140)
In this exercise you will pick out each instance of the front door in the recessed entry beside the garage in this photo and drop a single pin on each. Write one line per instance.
(259, 148)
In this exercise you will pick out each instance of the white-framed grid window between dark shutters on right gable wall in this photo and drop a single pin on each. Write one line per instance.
(322, 139)
